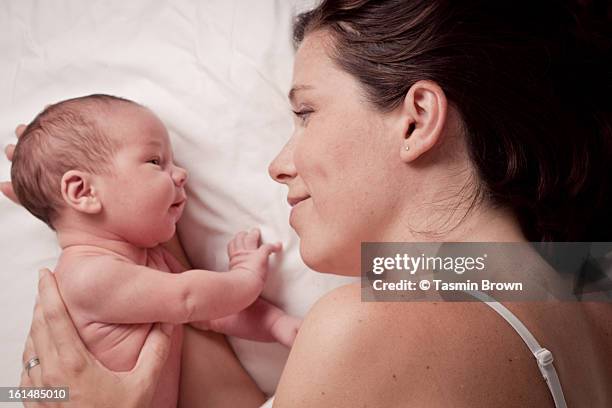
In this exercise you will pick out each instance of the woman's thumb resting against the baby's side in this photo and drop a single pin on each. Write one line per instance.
(153, 355)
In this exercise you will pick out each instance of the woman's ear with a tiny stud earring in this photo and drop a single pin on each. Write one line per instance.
(423, 115)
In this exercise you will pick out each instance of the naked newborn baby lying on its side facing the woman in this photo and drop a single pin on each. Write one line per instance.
(99, 170)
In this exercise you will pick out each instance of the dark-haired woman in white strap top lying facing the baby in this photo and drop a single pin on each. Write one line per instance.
(415, 121)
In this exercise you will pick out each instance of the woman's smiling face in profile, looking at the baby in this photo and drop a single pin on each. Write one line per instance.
(341, 164)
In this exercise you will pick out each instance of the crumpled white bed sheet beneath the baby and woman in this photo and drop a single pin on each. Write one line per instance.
(217, 73)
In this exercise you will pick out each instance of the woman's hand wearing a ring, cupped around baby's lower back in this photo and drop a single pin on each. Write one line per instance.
(65, 361)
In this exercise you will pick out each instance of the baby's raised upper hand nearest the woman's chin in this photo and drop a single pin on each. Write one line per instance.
(245, 252)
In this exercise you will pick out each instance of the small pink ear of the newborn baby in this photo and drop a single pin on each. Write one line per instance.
(79, 193)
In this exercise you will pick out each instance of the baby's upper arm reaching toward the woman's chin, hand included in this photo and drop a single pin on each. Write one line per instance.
(112, 291)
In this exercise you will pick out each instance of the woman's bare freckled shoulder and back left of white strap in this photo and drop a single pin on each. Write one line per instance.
(352, 353)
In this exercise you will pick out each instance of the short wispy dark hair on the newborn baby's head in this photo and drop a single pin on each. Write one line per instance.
(65, 136)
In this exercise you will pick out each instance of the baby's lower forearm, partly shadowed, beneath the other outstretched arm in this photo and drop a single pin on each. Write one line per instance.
(262, 321)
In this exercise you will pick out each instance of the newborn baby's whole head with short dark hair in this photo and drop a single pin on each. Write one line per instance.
(100, 163)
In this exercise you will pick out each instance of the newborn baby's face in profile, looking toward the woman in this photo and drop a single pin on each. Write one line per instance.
(144, 197)
